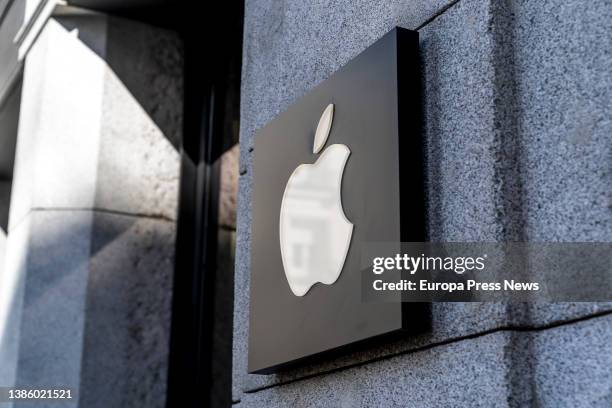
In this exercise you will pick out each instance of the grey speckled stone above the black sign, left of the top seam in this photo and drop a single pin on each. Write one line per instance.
(289, 47)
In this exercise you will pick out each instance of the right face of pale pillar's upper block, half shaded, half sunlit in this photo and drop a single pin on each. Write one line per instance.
(141, 120)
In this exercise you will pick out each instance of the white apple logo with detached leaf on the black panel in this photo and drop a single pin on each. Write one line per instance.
(315, 235)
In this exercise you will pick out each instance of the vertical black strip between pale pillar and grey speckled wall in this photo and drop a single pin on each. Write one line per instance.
(212, 37)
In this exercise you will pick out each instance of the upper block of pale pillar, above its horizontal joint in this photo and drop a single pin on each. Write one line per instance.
(100, 119)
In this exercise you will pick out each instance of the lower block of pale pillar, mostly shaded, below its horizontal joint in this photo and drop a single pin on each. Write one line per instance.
(88, 300)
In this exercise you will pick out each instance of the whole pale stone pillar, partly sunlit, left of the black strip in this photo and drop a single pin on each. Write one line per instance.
(92, 220)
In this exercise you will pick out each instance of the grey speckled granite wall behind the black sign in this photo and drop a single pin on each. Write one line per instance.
(517, 124)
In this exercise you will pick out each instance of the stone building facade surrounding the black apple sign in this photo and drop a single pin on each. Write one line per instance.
(126, 256)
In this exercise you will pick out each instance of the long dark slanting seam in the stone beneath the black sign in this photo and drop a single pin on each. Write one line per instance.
(501, 329)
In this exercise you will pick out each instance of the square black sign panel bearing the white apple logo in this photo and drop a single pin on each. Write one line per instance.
(341, 167)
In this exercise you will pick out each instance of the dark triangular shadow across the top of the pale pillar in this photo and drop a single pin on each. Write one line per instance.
(128, 50)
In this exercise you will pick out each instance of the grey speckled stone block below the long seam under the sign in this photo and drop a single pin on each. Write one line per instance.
(546, 368)
